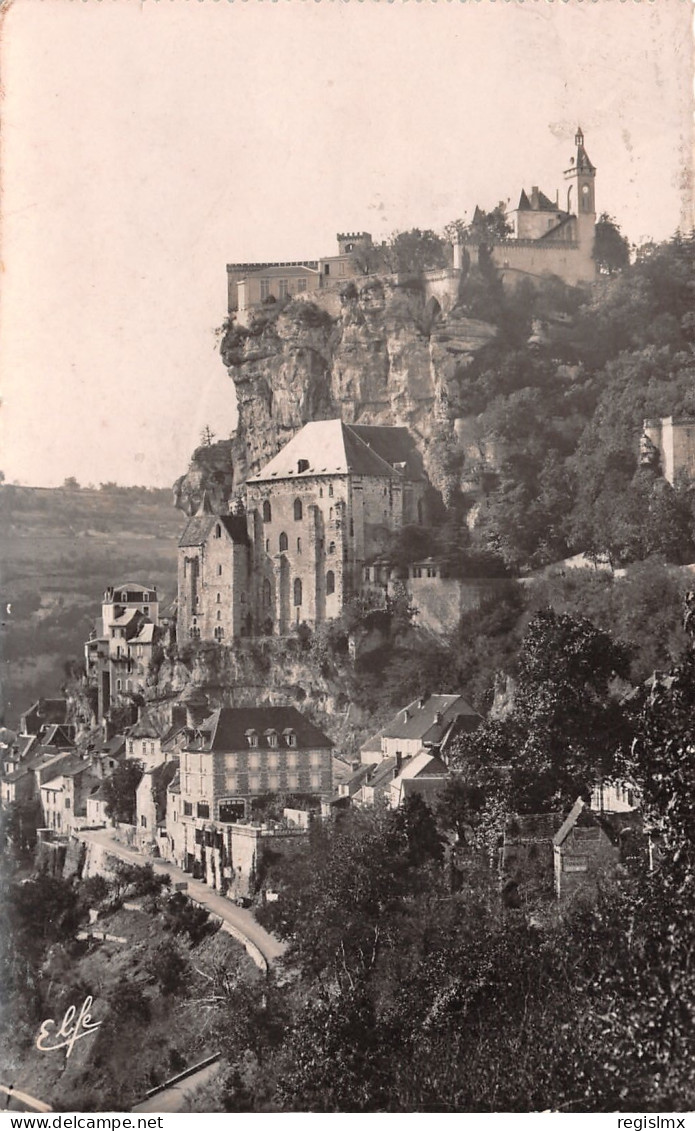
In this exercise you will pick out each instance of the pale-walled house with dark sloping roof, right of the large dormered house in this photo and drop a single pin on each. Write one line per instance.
(427, 724)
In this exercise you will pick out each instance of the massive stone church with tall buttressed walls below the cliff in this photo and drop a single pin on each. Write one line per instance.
(322, 508)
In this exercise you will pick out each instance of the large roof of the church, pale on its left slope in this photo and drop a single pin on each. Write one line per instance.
(334, 448)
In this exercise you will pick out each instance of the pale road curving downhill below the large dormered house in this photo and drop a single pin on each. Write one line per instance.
(239, 921)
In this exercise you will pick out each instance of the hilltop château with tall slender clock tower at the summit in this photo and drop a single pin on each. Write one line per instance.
(549, 238)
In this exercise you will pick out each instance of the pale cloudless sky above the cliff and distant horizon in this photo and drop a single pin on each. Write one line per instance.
(147, 143)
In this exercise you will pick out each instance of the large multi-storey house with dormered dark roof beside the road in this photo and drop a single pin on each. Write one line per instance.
(234, 756)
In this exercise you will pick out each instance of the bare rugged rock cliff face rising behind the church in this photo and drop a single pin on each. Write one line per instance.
(381, 353)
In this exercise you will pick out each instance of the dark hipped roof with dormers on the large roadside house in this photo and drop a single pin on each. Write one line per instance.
(229, 728)
